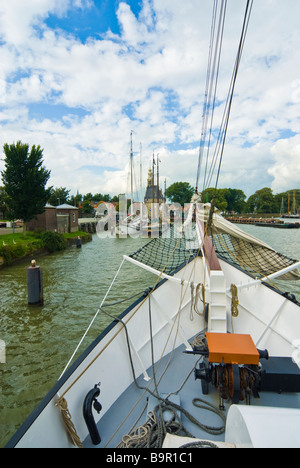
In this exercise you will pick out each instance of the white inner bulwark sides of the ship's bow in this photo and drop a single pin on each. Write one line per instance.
(272, 320)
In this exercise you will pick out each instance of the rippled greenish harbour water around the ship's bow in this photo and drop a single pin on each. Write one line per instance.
(40, 340)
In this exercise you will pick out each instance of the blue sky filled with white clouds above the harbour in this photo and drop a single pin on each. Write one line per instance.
(77, 76)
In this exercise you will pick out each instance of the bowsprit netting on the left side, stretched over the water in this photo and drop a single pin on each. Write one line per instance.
(167, 254)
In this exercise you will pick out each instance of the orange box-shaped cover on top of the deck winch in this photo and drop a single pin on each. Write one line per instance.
(232, 348)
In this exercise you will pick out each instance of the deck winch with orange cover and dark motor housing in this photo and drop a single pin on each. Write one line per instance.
(232, 364)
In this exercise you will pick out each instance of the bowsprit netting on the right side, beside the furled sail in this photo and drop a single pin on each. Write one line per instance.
(256, 260)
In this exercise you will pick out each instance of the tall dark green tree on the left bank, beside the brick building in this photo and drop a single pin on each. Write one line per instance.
(25, 180)
